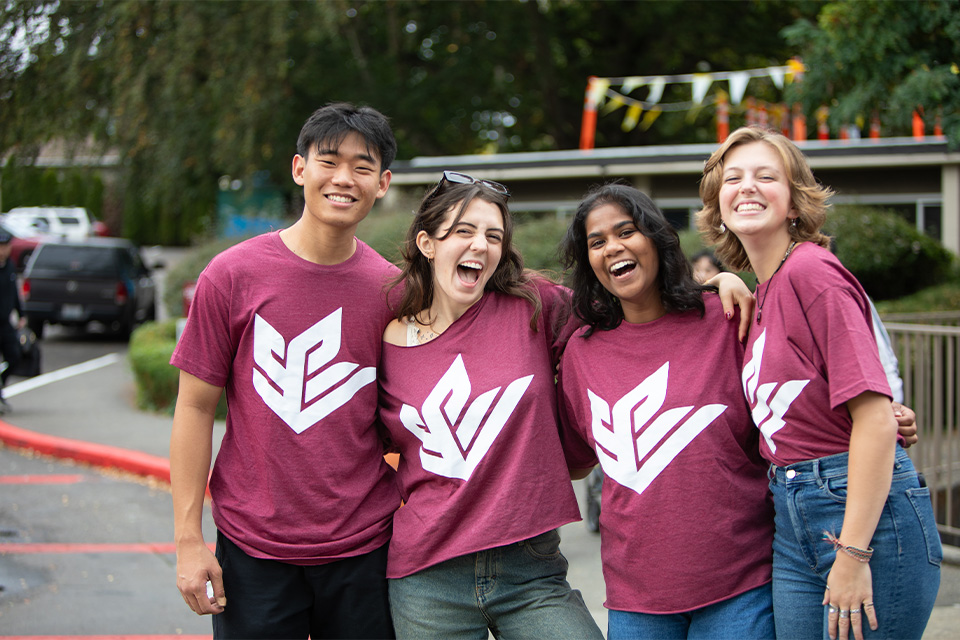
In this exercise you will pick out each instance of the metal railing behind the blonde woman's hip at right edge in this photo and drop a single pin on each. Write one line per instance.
(929, 357)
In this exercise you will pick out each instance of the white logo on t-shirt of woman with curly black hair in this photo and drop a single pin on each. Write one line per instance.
(628, 434)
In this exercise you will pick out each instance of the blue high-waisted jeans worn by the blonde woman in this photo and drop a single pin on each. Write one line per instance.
(809, 498)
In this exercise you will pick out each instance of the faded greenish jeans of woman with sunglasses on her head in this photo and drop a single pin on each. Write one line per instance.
(516, 591)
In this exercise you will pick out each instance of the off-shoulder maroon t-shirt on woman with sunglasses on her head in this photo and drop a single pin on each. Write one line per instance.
(473, 413)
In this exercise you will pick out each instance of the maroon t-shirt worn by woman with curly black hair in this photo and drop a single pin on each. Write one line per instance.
(686, 520)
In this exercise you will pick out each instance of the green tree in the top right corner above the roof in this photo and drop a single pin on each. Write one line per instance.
(885, 57)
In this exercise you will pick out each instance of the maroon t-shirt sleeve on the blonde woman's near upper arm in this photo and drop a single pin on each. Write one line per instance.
(847, 345)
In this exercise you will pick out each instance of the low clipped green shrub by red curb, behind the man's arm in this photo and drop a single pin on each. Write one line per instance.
(157, 381)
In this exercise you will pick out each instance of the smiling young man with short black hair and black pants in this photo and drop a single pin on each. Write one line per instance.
(289, 324)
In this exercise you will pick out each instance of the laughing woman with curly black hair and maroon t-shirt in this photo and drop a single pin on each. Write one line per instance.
(649, 389)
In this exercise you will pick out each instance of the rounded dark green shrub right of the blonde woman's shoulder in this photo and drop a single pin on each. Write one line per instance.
(888, 256)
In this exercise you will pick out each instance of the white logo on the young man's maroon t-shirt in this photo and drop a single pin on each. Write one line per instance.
(294, 379)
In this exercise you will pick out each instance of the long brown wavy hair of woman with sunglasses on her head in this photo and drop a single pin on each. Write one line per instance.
(416, 272)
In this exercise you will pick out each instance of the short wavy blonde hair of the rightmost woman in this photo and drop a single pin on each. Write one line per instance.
(809, 197)
